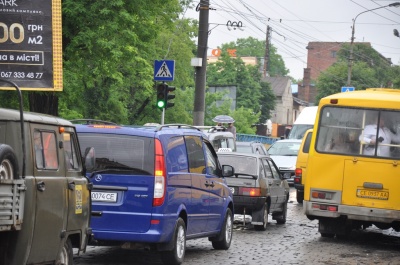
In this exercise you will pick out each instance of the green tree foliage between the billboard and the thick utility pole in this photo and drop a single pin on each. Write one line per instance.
(109, 51)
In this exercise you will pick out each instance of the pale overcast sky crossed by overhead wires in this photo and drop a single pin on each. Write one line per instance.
(297, 22)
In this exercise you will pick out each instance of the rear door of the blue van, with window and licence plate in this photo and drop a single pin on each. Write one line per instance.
(123, 183)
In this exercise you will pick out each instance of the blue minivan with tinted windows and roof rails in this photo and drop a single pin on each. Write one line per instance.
(157, 187)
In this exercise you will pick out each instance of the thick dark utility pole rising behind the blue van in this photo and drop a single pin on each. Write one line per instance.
(200, 83)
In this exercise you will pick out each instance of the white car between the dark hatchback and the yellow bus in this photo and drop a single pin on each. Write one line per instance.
(284, 153)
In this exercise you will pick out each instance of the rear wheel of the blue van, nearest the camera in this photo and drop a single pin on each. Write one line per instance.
(176, 255)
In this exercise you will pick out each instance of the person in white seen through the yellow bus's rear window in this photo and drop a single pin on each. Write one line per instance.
(384, 138)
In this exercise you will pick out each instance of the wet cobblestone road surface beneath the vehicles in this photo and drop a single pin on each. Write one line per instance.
(296, 242)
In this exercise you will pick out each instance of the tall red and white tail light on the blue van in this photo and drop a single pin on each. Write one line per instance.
(159, 174)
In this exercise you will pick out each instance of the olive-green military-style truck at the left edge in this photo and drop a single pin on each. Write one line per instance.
(44, 194)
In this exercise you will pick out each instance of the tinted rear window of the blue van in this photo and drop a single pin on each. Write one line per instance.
(125, 153)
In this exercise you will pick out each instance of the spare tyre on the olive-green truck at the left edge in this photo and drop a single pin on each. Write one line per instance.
(8, 163)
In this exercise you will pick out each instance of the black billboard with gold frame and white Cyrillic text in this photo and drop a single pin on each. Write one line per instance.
(31, 44)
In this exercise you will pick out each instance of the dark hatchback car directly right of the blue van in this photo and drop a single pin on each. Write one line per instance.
(258, 188)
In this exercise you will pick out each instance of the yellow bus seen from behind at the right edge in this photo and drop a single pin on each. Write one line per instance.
(353, 168)
